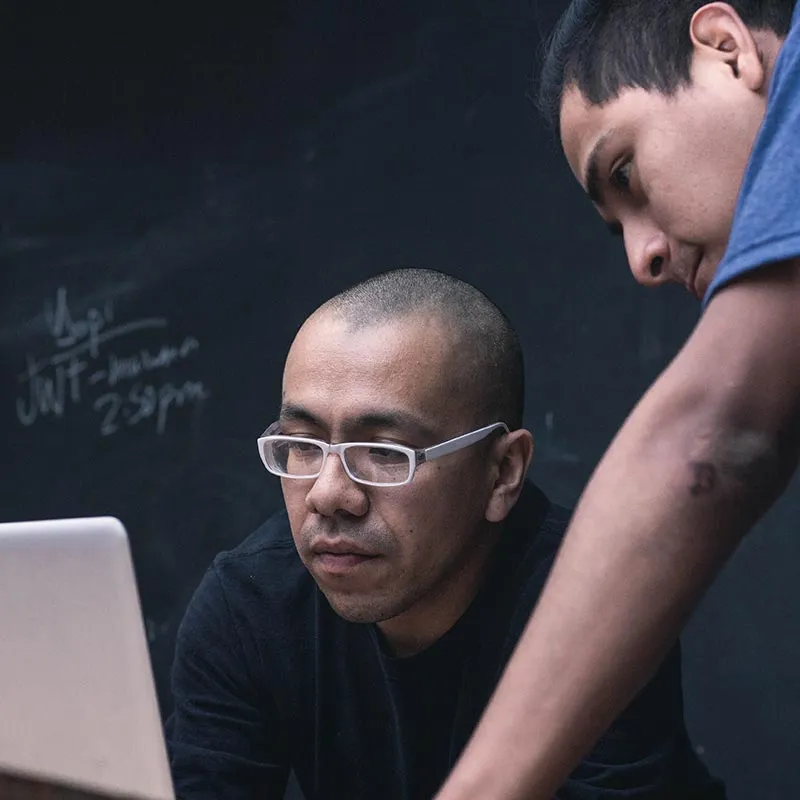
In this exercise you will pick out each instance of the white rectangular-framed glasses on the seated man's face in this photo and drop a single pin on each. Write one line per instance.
(370, 463)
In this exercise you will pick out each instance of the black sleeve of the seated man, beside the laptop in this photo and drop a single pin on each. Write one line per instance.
(223, 736)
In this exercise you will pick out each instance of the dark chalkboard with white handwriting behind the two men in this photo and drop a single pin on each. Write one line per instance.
(177, 195)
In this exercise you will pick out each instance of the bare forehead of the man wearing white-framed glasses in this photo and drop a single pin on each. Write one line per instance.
(336, 370)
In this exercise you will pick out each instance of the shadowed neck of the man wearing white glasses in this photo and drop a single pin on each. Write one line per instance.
(433, 615)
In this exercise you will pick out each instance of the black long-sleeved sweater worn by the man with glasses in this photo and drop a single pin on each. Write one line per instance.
(268, 678)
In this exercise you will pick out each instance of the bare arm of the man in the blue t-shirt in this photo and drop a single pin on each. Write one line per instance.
(703, 455)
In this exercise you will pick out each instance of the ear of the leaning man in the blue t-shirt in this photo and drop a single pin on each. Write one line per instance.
(719, 35)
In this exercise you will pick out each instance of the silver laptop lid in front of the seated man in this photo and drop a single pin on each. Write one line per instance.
(78, 704)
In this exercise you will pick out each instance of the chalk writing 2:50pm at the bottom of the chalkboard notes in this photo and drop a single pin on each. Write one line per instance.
(145, 401)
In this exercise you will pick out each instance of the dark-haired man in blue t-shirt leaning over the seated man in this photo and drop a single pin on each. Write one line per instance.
(681, 120)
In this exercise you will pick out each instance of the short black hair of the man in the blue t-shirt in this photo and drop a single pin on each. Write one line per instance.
(604, 46)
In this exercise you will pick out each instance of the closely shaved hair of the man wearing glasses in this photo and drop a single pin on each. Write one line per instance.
(491, 348)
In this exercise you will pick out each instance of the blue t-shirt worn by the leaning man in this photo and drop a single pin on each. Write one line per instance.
(766, 225)
